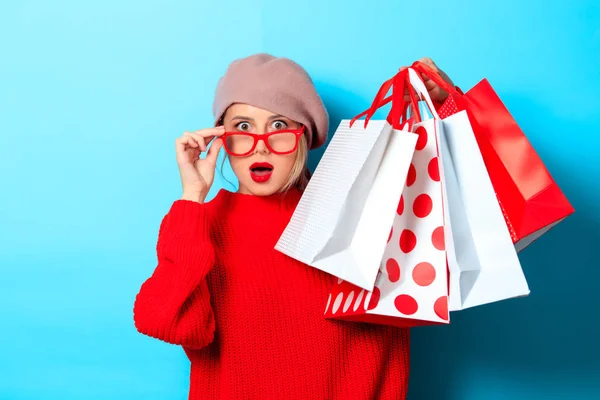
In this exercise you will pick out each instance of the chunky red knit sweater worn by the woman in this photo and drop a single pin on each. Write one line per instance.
(250, 319)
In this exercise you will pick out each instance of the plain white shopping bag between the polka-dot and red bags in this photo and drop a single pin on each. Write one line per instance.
(483, 263)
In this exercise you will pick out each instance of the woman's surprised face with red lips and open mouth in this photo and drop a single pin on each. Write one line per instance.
(260, 173)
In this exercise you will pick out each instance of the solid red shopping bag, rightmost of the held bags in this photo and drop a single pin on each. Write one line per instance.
(531, 200)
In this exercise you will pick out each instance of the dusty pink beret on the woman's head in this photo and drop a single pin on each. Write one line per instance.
(278, 85)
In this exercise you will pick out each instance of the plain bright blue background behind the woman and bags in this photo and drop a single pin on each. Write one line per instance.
(93, 94)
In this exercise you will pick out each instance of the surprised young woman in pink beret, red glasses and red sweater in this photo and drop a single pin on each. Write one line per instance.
(249, 318)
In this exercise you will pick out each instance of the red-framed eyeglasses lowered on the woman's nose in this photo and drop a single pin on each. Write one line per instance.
(278, 142)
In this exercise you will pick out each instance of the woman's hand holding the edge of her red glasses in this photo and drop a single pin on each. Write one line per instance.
(197, 175)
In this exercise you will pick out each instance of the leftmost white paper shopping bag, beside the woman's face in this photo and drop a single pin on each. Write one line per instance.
(343, 220)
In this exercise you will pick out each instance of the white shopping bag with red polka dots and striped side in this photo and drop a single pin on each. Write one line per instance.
(411, 288)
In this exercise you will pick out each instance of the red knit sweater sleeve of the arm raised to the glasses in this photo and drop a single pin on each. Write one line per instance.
(173, 304)
